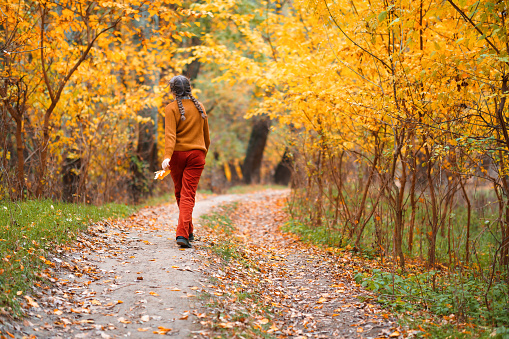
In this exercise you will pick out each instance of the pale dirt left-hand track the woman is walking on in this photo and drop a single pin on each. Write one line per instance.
(126, 279)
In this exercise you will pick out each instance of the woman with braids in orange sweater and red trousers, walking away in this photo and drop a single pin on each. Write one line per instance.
(186, 143)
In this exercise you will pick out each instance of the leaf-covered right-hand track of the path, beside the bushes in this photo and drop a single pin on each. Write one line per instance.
(269, 284)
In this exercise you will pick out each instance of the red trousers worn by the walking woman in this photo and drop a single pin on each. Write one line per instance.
(186, 168)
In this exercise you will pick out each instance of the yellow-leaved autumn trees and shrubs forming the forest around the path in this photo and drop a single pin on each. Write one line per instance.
(388, 117)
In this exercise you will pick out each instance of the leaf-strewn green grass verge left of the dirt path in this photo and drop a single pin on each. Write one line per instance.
(31, 230)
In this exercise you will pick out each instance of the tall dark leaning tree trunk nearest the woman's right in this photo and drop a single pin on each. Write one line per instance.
(256, 146)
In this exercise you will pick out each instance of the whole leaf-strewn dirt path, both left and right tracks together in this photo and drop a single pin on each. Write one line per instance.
(129, 279)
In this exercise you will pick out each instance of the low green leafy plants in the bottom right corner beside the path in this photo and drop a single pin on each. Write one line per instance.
(467, 298)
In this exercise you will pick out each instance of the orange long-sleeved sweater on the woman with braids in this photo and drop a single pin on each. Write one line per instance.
(185, 135)
